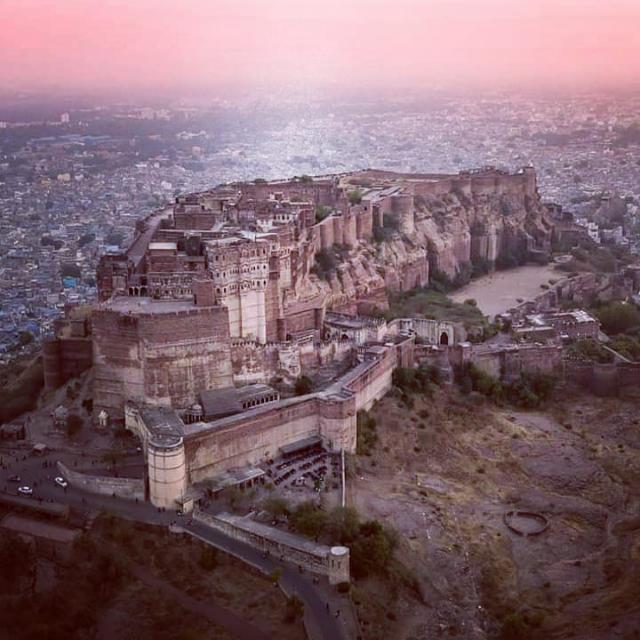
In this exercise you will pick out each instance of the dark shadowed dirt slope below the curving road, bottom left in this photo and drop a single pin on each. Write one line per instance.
(169, 587)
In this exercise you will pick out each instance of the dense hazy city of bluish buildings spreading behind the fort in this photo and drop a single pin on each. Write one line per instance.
(73, 181)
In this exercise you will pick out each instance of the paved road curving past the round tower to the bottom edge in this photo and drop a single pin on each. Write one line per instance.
(322, 620)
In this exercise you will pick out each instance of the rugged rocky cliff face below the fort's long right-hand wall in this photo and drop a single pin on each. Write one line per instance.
(450, 233)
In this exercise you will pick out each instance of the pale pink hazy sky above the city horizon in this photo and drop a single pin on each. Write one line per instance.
(113, 44)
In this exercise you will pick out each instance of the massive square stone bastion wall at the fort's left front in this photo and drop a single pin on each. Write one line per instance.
(157, 356)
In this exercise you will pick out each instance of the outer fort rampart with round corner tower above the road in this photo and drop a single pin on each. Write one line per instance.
(204, 450)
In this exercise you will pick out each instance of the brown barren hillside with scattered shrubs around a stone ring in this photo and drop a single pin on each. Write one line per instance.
(445, 472)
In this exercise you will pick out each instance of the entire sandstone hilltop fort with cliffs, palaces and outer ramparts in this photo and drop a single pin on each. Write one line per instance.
(235, 288)
